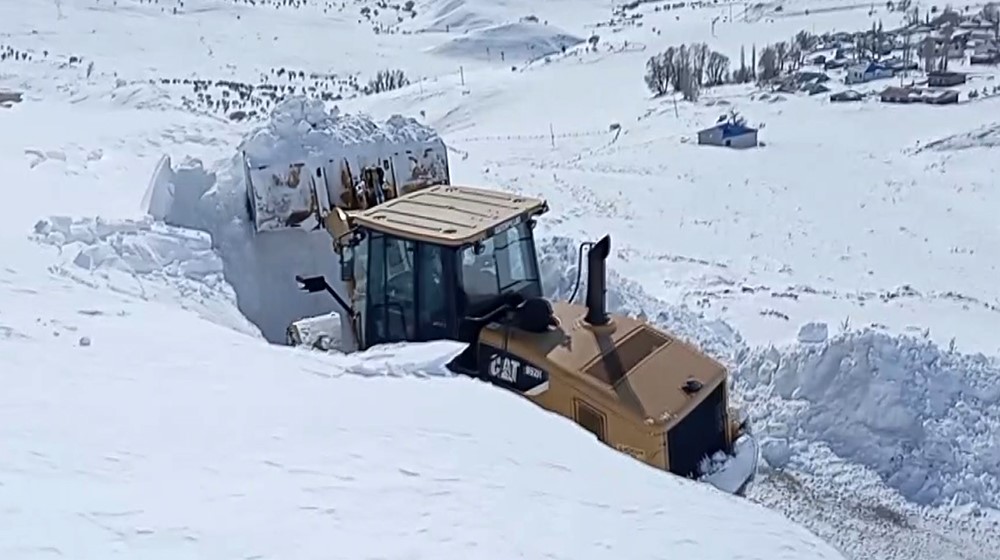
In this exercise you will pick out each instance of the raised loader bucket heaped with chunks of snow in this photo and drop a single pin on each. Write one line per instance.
(300, 164)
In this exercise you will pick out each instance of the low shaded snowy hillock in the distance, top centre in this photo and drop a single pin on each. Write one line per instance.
(515, 41)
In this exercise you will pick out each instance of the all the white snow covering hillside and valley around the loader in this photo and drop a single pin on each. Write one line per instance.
(843, 270)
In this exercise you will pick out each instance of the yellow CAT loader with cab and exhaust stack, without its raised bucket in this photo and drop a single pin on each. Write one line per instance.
(425, 262)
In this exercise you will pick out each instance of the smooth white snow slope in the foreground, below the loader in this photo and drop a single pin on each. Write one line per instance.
(237, 449)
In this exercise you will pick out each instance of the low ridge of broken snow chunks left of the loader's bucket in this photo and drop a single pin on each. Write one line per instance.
(147, 260)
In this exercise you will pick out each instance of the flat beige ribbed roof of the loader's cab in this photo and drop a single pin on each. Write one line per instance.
(448, 214)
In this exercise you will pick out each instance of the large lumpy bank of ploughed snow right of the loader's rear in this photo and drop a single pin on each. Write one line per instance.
(926, 420)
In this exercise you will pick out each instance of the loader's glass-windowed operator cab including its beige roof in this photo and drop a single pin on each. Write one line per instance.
(439, 263)
